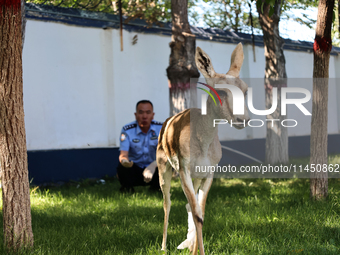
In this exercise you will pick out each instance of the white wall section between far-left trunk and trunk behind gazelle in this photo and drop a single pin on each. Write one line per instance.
(80, 89)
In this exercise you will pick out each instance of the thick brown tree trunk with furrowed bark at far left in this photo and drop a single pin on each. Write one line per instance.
(13, 154)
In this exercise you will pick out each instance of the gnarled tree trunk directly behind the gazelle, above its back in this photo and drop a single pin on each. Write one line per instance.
(182, 64)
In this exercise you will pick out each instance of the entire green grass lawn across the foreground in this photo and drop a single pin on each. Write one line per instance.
(243, 216)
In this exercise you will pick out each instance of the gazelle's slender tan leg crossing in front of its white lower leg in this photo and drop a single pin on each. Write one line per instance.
(189, 192)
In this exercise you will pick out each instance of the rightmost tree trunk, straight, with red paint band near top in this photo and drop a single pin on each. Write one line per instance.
(322, 48)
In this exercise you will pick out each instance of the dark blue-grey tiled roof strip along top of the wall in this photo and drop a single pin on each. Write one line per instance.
(105, 20)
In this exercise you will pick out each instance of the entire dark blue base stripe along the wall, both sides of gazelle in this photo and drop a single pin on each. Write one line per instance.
(75, 164)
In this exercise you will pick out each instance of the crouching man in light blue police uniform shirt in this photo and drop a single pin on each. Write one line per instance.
(138, 143)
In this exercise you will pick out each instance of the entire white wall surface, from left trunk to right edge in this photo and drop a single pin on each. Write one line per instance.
(80, 89)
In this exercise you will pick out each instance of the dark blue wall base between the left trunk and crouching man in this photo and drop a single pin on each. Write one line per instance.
(75, 164)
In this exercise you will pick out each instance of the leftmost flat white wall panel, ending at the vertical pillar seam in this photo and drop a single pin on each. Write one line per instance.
(64, 90)
